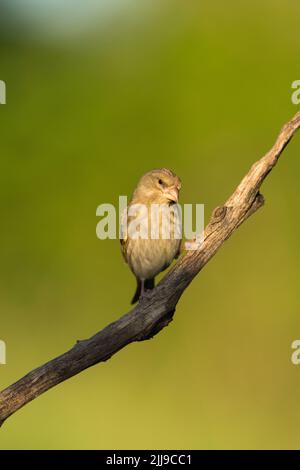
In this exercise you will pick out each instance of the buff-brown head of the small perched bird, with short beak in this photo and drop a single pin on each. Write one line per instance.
(159, 186)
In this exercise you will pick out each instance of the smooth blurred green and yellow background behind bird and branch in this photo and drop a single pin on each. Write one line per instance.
(98, 93)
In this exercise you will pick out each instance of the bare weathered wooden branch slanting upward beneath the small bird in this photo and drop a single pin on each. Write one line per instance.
(156, 309)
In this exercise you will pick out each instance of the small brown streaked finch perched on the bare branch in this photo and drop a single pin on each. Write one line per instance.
(153, 212)
